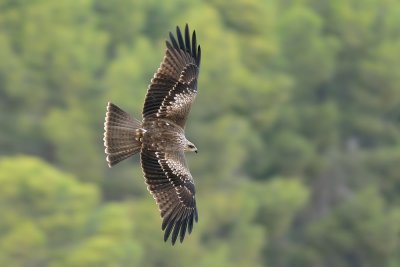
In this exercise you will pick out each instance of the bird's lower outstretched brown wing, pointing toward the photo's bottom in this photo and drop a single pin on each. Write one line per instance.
(171, 184)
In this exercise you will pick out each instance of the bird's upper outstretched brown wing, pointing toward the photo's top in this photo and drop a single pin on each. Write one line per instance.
(174, 86)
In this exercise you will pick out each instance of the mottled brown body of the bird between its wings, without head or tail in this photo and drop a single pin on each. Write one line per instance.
(162, 135)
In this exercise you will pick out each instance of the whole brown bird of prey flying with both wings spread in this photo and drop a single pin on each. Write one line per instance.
(160, 136)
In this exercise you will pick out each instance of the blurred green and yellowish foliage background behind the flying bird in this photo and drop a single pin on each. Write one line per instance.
(297, 122)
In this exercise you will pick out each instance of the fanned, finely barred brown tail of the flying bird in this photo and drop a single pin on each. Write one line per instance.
(122, 135)
